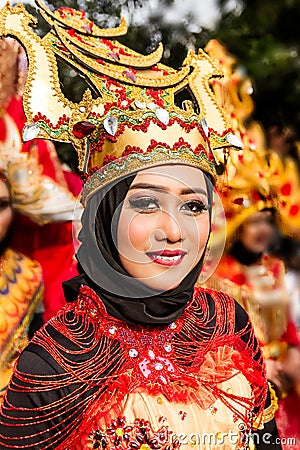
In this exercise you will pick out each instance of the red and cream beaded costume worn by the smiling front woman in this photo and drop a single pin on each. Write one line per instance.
(115, 385)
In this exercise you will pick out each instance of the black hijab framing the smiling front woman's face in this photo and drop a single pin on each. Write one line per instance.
(124, 297)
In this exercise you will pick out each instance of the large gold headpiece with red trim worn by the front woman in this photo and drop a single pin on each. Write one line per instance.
(135, 120)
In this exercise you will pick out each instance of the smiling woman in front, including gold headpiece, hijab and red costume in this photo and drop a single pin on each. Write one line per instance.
(139, 357)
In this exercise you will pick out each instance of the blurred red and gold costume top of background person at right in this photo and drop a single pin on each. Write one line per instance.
(260, 289)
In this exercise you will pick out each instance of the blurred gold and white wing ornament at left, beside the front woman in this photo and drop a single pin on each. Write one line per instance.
(33, 193)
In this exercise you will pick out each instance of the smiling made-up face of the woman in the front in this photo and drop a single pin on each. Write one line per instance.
(164, 225)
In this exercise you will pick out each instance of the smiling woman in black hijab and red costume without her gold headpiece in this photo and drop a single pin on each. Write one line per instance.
(165, 364)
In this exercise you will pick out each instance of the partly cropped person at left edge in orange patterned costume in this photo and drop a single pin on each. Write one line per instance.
(21, 291)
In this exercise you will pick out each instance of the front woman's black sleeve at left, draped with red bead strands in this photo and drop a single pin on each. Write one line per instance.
(44, 401)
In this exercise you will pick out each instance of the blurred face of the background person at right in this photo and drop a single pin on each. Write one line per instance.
(257, 232)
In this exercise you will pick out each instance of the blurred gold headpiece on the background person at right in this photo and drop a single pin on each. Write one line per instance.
(255, 178)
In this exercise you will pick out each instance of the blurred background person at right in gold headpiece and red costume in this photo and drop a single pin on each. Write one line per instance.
(260, 192)
